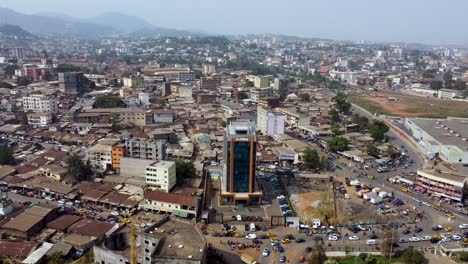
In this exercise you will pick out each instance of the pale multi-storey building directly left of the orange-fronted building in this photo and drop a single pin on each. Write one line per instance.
(100, 155)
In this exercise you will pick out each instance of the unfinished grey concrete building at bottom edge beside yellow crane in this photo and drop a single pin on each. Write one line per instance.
(168, 240)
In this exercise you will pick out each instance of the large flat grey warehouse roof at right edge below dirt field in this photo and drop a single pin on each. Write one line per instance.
(450, 131)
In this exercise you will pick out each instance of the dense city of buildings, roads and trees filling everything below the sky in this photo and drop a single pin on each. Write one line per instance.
(169, 146)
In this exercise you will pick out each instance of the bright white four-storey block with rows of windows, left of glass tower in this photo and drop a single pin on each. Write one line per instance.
(161, 174)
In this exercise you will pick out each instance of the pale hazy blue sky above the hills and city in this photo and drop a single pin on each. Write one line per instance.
(426, 21)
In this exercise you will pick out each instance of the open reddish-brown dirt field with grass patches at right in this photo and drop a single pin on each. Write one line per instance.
(409, 105)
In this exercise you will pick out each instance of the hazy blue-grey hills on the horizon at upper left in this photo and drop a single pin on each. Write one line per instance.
(106, 24)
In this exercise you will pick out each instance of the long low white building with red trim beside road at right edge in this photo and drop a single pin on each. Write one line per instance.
(441, 185)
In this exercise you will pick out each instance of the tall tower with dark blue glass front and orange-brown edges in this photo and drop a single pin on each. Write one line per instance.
(239, 181)
